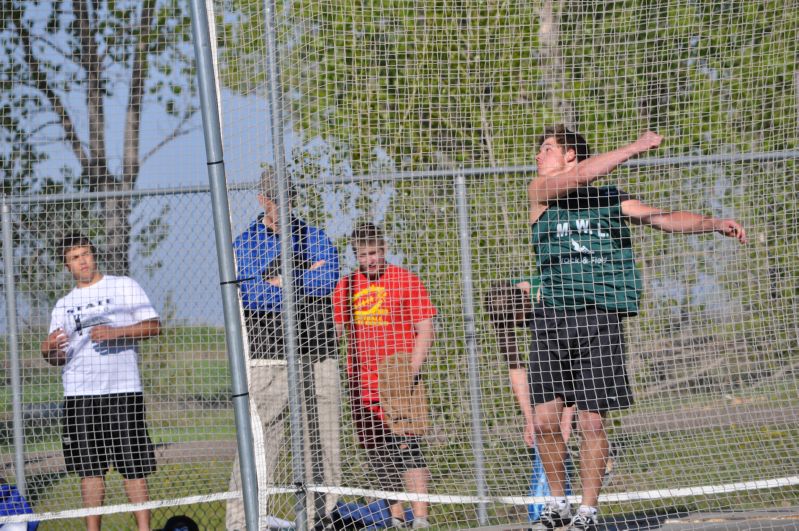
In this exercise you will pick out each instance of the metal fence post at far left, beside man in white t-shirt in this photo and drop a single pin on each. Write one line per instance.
(13, 349)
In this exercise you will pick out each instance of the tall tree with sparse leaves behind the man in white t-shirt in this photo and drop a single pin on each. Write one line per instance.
(57, 51)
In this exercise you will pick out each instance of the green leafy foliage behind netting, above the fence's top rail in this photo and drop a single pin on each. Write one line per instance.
(439, 83)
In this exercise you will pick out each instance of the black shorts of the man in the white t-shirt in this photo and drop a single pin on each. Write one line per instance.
(107, 430)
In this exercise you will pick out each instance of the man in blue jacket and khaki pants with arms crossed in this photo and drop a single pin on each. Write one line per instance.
(315, 274)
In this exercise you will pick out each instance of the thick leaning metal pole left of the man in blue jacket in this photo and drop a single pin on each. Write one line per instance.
(209, 106)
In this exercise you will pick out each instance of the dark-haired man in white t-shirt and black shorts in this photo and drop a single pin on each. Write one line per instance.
(94, 335)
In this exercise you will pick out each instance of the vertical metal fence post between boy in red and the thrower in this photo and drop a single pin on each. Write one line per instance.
(471, 343)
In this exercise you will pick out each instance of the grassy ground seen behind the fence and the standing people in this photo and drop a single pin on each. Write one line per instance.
(186, 379)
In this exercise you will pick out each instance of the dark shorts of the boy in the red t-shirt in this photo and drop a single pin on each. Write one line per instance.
(392, 456)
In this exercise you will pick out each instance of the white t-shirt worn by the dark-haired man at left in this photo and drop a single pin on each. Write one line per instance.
(101, 368)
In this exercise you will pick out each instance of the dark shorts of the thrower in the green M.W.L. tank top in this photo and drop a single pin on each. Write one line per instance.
(579, 356)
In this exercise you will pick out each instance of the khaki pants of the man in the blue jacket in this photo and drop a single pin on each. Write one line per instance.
(268, 388)
